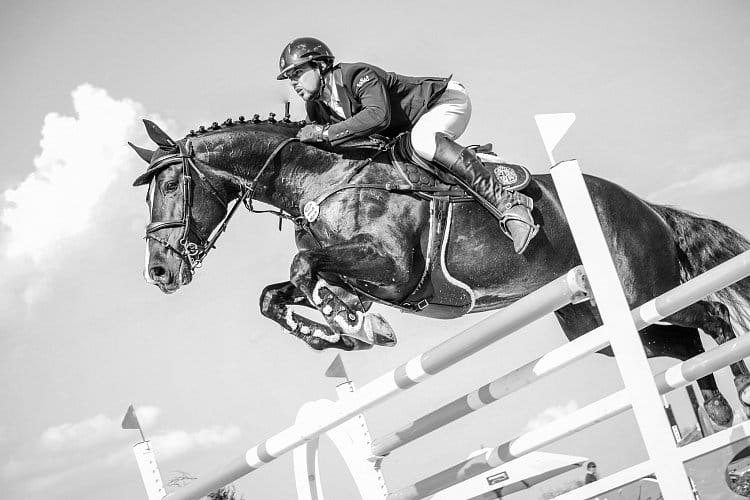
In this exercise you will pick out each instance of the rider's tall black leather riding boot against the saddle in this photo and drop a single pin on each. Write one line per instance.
(512, 209)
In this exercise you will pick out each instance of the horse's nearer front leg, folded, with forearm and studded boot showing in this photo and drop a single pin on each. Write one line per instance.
(359, 259)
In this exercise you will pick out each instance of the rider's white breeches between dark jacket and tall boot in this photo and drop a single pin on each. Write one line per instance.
(450, 114)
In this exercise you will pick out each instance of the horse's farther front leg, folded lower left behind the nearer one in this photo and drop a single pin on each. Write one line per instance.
(274, 304)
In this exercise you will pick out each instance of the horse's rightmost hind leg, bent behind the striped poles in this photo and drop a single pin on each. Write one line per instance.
(713, 318)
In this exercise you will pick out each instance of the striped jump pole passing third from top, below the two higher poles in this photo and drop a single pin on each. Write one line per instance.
(674, 377)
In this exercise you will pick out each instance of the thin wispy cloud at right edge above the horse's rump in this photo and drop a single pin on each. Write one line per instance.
(727, 177)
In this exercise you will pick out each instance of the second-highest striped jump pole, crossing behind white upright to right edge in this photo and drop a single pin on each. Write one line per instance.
(668, 303)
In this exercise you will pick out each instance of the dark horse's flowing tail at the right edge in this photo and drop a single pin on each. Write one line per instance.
(705, 243)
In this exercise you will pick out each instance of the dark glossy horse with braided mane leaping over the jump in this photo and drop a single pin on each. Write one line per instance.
(365, 237)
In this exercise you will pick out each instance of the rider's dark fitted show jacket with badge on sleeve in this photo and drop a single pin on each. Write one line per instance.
(375, 101)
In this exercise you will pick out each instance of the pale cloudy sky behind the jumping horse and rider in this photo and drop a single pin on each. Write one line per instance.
(662, 95)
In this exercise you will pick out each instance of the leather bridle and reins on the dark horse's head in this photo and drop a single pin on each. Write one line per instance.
(190, 252)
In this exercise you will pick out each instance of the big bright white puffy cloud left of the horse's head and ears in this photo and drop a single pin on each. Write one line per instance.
(81, 157)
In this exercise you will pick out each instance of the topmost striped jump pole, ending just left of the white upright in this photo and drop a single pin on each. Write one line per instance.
(564, 290)
